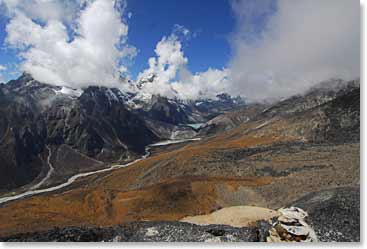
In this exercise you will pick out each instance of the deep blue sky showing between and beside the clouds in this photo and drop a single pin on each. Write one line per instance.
(211, 22)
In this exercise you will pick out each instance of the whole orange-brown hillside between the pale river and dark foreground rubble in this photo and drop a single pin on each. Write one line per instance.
(194, 180)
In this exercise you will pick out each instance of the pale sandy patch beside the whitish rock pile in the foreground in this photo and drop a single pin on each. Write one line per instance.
(237, 216)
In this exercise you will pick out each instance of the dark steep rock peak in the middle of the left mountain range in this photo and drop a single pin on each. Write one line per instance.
(99, 125)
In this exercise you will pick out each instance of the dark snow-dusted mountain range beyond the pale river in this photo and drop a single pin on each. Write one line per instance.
(95, 125)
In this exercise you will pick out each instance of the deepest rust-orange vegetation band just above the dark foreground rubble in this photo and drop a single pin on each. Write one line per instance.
(172, 199)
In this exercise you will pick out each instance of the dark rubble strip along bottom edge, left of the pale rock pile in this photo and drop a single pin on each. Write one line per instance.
(150, 232)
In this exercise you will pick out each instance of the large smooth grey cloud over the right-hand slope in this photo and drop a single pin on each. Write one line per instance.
(301, 43)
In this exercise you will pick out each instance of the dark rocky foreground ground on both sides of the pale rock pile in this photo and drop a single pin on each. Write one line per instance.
(333, 213)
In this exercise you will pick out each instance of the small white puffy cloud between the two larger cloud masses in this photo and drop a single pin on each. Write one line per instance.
(170, 77)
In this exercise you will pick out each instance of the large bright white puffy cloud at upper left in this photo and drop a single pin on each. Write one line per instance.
(90, 56)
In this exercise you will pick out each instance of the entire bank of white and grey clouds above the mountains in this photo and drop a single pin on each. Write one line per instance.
(279, 48)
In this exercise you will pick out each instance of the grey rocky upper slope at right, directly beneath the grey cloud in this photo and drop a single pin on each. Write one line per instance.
(331, 108)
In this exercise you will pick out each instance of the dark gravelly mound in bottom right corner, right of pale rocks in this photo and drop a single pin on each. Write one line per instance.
(334, 214)
